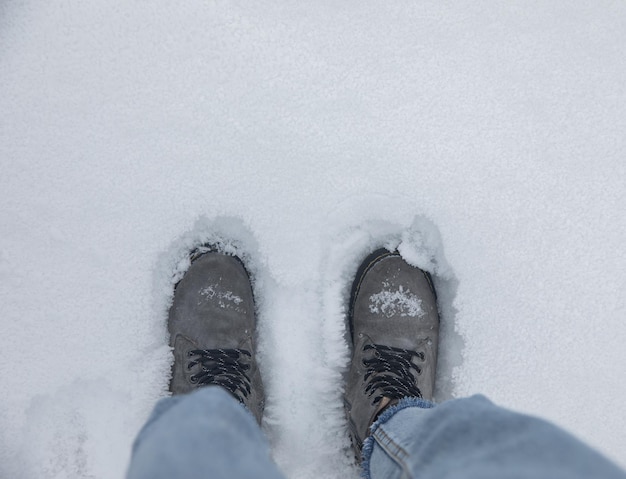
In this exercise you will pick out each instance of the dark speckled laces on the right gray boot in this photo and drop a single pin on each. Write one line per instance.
(389, 372)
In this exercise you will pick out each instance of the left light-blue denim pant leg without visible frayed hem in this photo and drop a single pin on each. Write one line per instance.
(203, 434)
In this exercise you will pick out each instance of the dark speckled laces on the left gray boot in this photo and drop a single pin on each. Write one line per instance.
(222, 367)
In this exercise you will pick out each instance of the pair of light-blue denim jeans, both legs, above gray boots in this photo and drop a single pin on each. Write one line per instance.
(209, 434)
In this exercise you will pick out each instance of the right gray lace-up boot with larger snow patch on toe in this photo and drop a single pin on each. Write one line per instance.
(394, 326)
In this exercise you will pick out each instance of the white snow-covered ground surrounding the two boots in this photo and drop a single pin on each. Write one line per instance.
(485, 139)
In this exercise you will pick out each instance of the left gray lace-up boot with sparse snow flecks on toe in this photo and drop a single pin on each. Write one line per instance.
(212, 325)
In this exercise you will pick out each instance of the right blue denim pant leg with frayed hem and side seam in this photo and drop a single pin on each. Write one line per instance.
(474, 439)
